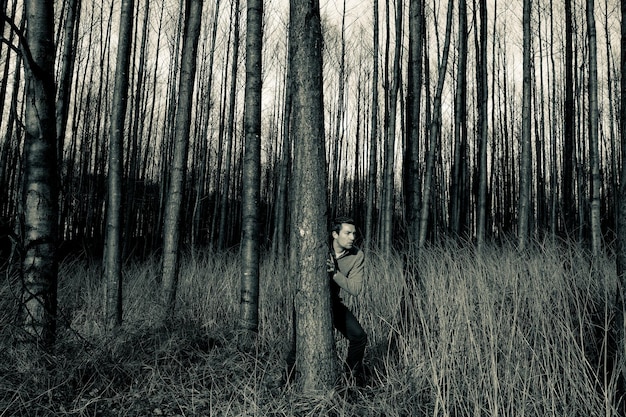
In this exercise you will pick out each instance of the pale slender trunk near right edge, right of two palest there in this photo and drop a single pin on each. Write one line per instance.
(594, 155)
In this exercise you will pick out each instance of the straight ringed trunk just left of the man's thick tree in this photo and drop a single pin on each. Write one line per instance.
(249, 304)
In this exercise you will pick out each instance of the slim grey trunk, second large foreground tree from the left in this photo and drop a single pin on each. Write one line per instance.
(112, 261)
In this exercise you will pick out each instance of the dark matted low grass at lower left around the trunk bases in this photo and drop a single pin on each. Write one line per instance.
(176, 372)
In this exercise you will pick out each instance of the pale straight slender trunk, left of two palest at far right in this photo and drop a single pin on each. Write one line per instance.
(524, 207)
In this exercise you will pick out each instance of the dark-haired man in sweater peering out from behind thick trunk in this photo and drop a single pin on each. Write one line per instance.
(345, 271)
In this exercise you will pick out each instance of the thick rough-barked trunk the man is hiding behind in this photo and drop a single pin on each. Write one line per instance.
(314, 335)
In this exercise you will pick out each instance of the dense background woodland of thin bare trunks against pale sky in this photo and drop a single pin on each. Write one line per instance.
(469, 111)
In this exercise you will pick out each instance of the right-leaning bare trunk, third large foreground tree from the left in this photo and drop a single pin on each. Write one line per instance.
(175, 195)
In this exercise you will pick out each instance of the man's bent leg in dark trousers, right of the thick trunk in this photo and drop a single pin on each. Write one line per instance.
(349, 326)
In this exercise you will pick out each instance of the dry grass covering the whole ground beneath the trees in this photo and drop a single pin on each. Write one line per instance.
(452, 332)
